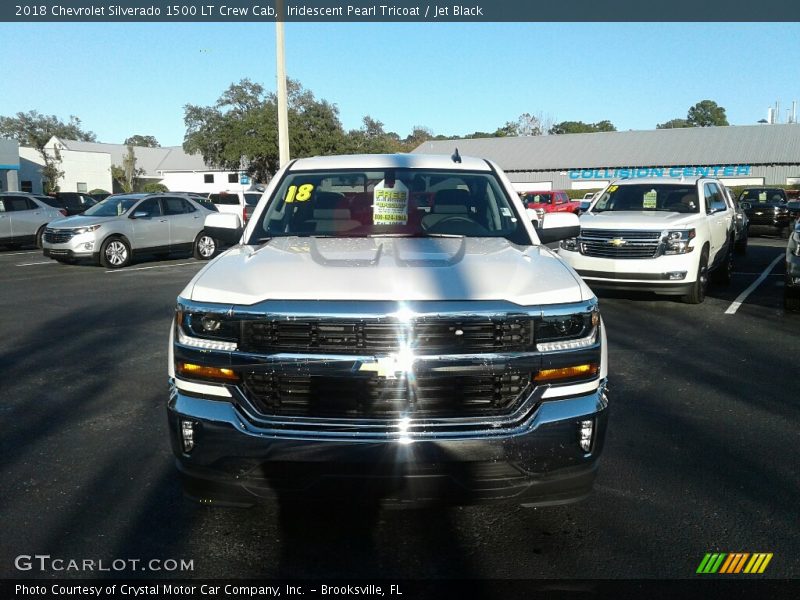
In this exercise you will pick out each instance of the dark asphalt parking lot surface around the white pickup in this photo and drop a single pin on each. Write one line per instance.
(701, 454)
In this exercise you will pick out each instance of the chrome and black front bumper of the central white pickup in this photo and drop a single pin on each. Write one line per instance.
(537, 460)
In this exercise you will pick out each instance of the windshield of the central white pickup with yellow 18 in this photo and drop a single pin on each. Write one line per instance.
(400, 202)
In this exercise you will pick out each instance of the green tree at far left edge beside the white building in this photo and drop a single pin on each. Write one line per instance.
(34, 130)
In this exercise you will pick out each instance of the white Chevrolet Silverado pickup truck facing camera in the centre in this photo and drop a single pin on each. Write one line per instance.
(355, 344)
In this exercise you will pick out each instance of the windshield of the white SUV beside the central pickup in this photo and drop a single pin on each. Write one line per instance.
(648, 198)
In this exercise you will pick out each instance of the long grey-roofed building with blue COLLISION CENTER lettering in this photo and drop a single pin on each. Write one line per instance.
(749, 155)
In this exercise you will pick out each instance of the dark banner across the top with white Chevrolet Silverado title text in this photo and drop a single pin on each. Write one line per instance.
(396, 11)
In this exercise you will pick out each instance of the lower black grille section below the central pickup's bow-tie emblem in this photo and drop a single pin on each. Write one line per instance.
(370, 396)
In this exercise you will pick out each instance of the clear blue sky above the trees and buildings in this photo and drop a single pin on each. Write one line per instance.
(130, 78)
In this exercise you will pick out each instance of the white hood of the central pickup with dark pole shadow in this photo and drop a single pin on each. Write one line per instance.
(384, 268)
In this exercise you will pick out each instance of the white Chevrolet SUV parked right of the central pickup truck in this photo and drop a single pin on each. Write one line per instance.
(660, 235)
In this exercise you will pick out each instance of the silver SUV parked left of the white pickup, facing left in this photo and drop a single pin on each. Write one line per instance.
(112, 232)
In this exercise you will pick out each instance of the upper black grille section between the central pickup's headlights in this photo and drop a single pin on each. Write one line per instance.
(425, 336)
